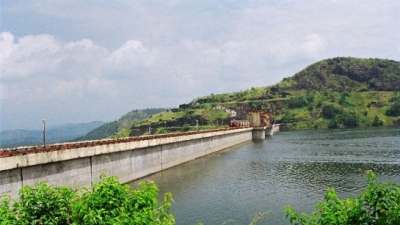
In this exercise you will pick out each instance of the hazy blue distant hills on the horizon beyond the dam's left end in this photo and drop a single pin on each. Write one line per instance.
(67, 132)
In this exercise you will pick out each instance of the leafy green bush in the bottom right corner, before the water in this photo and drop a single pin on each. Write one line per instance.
(378, 204)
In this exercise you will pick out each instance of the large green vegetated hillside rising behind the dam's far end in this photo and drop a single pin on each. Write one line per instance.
(332, 93)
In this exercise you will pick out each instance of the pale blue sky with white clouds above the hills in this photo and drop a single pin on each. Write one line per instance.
(74, 61)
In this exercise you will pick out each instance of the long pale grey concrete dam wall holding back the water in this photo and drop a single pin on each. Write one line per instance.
(127, 160)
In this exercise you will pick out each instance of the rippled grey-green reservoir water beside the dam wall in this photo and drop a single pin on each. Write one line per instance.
(291, 168)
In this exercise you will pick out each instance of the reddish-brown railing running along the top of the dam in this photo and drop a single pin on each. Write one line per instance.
(9, 152)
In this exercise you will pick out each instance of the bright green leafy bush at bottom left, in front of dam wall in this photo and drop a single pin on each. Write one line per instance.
(108, 202)
